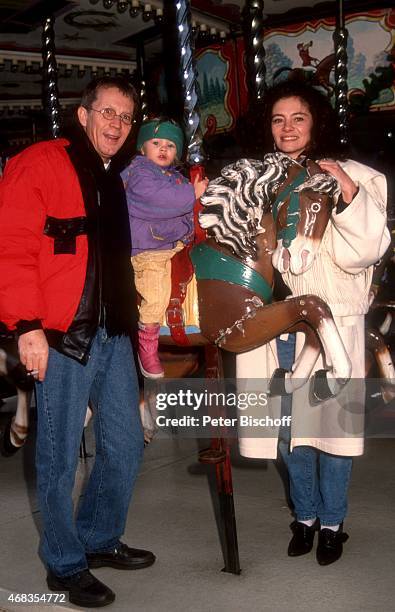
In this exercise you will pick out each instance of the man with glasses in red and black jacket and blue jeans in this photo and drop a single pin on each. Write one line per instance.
(66, 290)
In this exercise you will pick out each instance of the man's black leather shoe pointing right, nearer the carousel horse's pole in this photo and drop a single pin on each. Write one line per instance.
(122, 557)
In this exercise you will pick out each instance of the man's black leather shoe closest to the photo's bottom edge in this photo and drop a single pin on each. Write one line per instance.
(84, 589)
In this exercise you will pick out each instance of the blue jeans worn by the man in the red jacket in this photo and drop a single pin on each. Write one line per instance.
(109, 381)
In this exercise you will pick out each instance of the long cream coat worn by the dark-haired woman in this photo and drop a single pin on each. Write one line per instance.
(341, 275)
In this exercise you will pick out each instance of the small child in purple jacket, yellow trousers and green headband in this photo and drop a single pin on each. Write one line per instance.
(160, 202)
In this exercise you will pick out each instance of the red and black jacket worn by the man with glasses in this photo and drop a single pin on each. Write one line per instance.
(65, 245)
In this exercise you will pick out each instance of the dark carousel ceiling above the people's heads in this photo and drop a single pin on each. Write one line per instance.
(110, 36)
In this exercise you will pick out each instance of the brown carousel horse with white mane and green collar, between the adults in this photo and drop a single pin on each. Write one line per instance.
(260, 213)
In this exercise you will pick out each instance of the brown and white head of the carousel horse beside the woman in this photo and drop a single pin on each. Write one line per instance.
(302, 210)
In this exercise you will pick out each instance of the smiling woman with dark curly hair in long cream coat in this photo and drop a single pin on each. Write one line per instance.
(318, 450)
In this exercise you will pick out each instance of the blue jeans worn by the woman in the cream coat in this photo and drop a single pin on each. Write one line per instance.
(318, 482)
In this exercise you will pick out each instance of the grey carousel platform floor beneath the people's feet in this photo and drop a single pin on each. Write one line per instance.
(172, 515)
